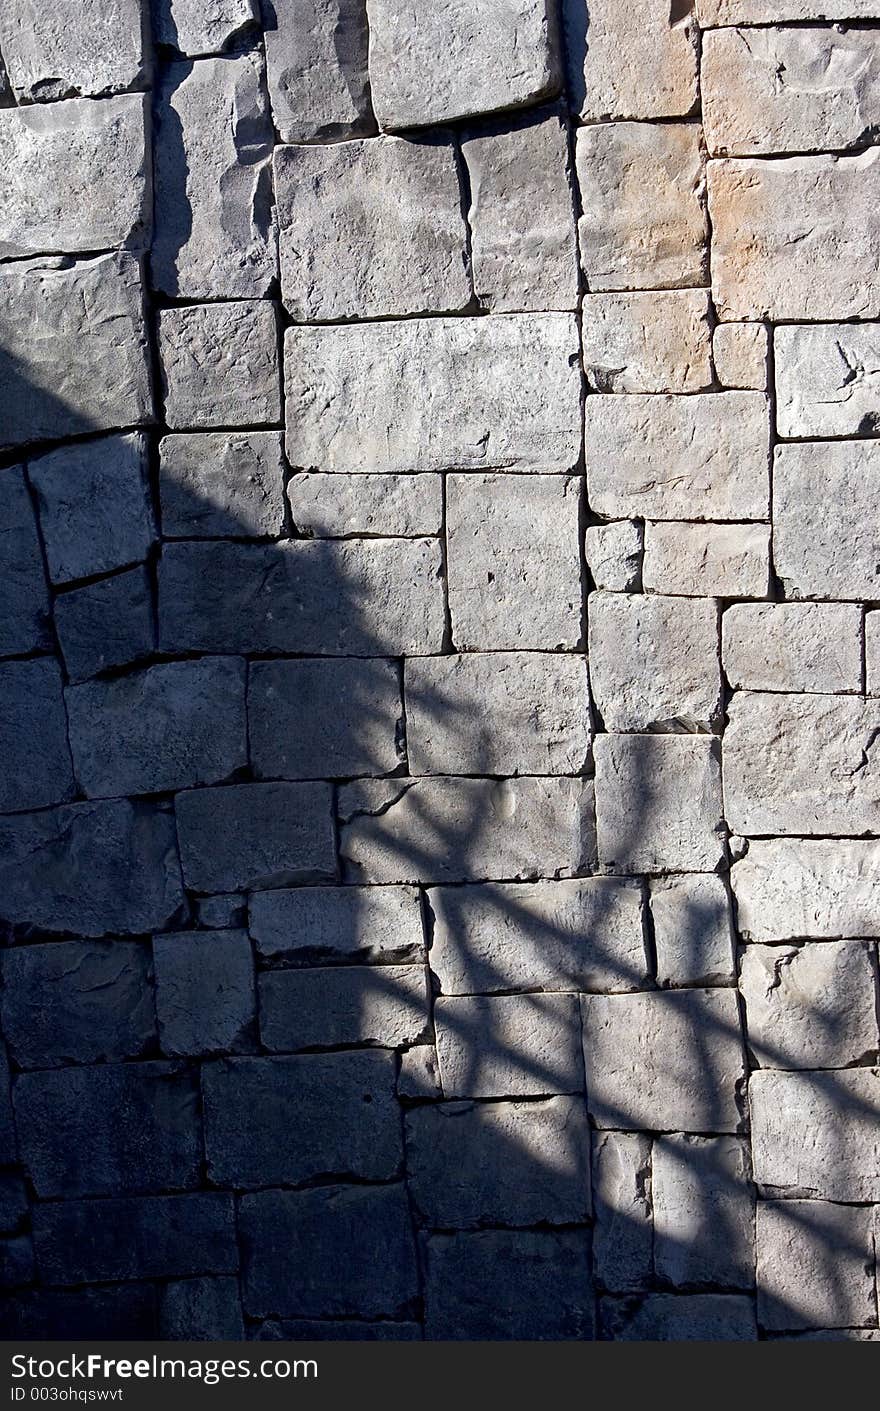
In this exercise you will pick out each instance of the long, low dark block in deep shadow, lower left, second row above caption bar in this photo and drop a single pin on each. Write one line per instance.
(136, 1238)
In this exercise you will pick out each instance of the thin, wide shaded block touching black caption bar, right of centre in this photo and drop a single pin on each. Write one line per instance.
(679, 1319)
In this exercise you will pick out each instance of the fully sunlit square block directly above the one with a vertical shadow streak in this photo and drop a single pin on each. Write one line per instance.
(654, 662)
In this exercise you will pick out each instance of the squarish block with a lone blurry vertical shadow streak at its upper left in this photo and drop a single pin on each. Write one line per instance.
(659, 804)
